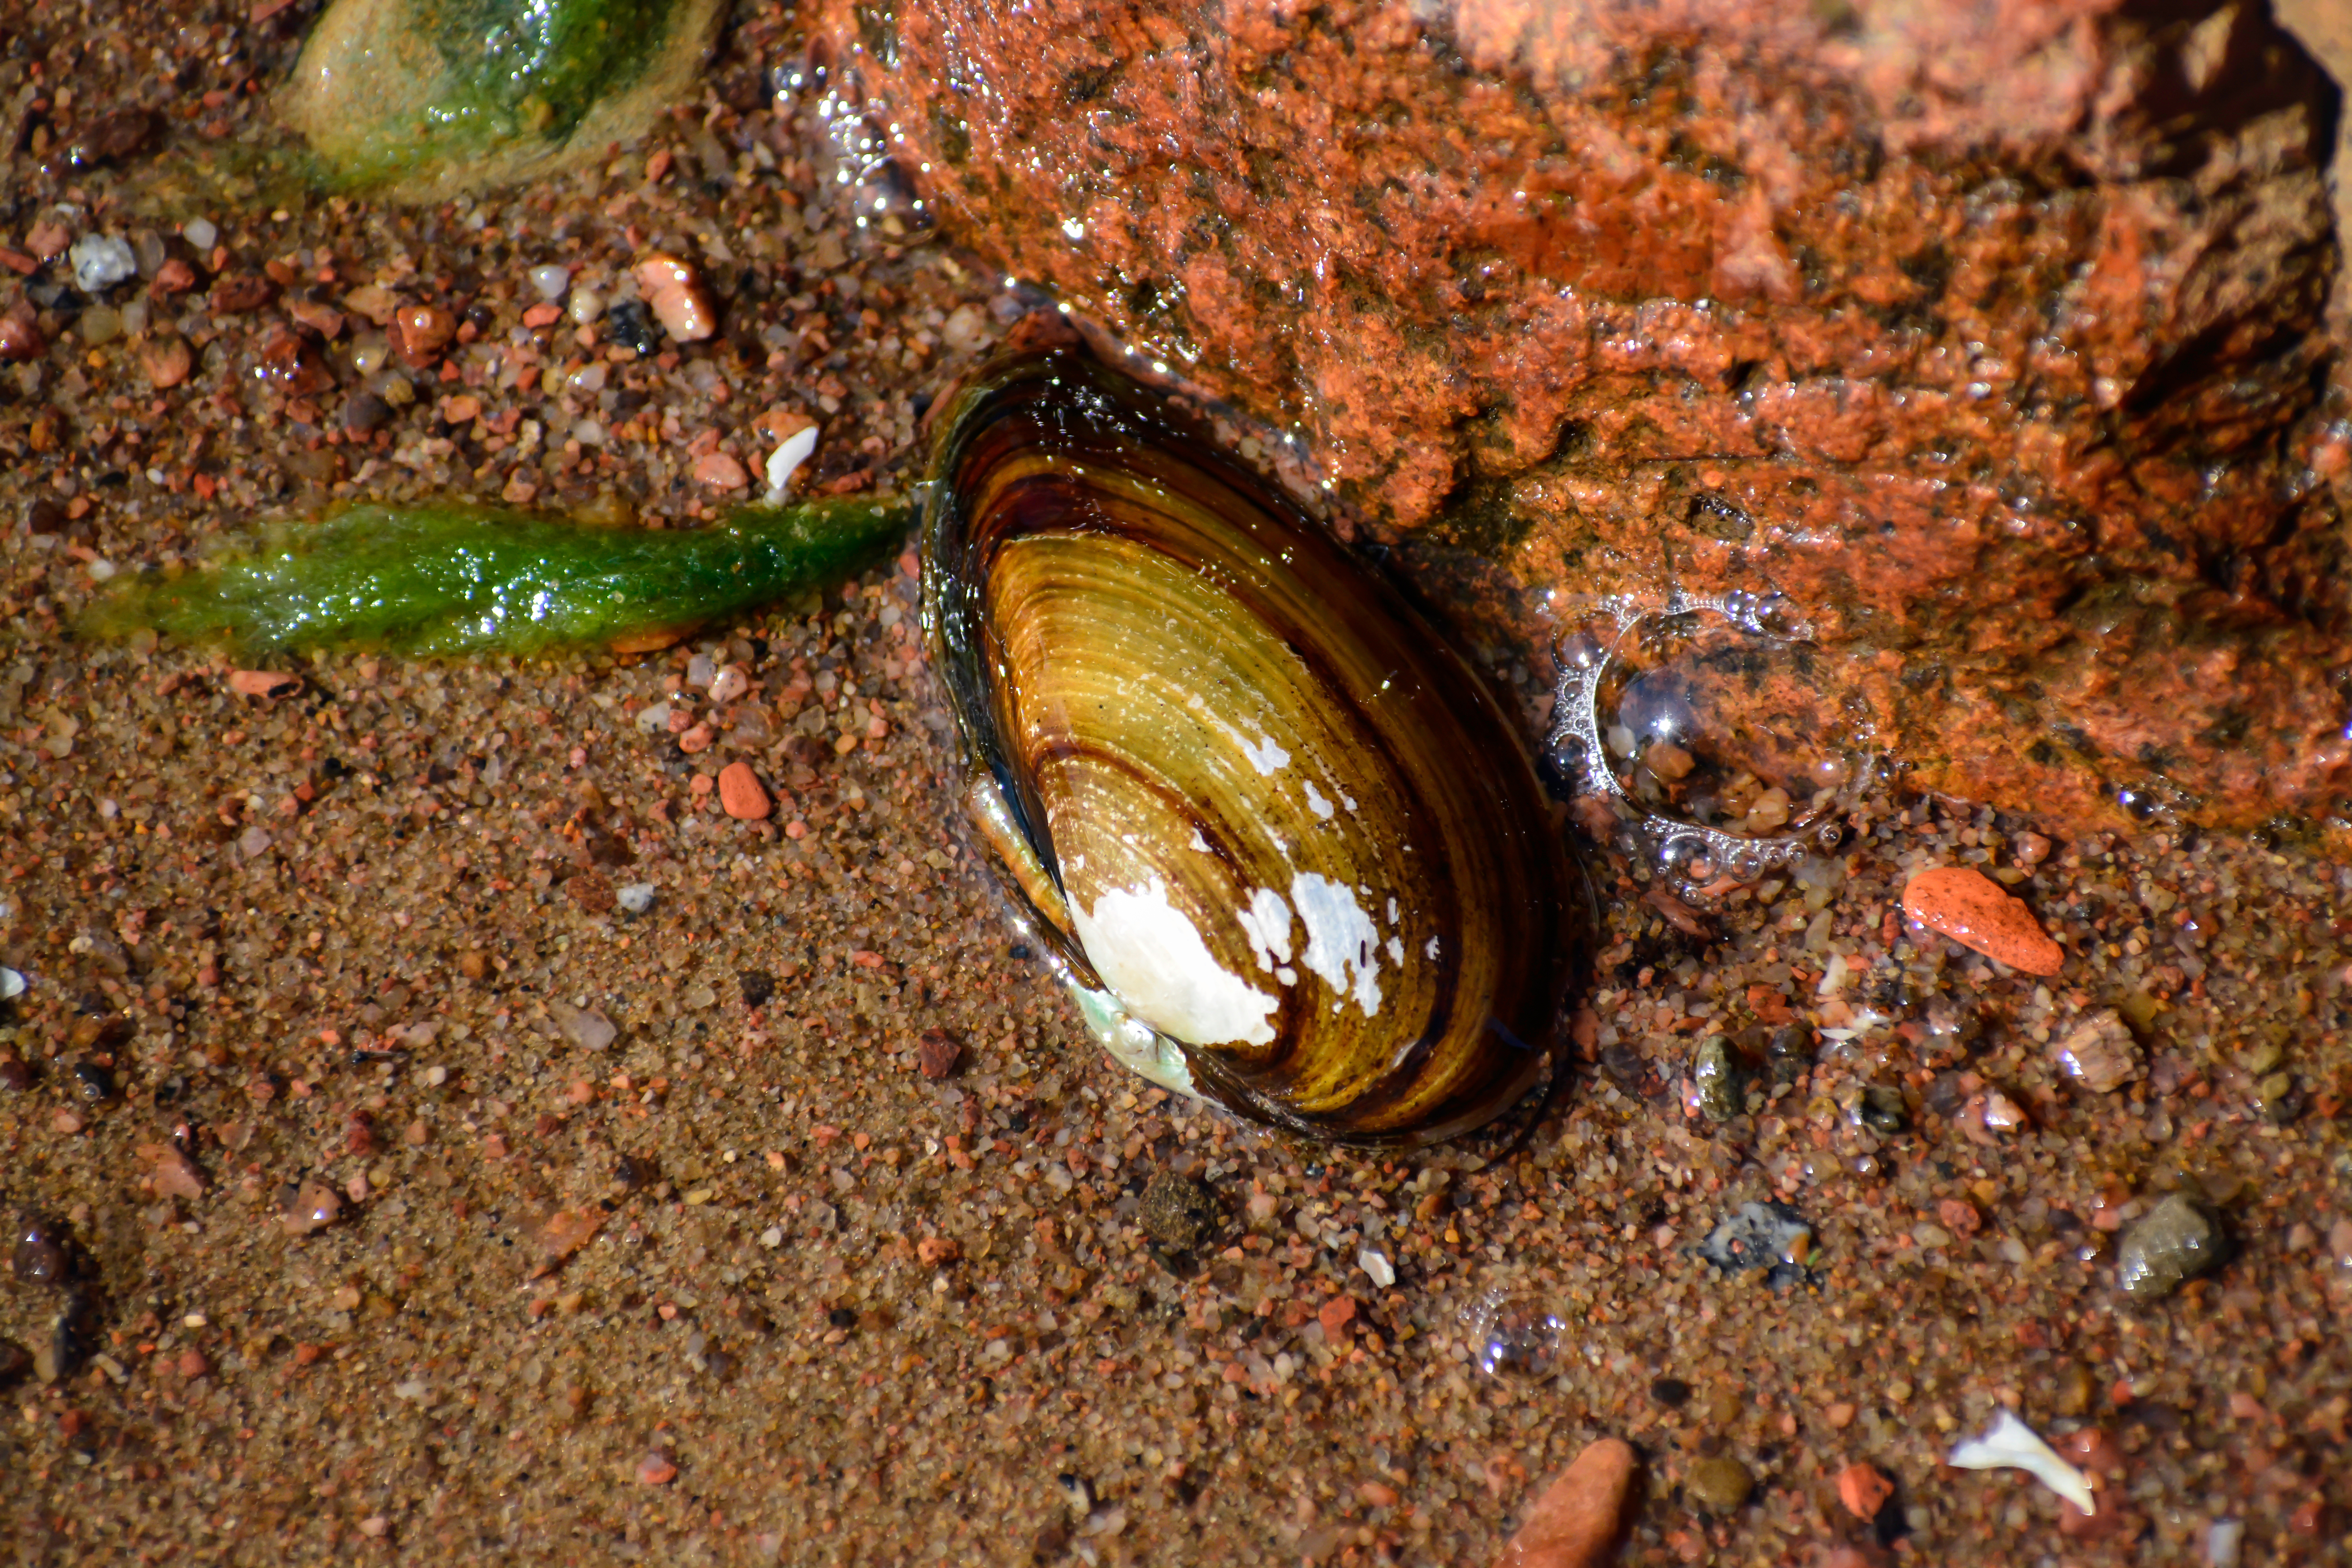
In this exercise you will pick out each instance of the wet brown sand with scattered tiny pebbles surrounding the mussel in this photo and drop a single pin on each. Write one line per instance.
(749, 1282)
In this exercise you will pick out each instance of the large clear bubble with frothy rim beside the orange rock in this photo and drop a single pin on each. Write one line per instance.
(1713, 730)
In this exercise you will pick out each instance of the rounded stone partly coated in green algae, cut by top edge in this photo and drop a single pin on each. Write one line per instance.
(429, 98)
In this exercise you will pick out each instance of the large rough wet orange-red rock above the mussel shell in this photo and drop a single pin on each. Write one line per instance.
(1993, 335)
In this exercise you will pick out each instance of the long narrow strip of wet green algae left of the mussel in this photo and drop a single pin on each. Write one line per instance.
(453, 579)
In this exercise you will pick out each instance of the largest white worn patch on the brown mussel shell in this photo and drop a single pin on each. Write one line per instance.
(1154, 960)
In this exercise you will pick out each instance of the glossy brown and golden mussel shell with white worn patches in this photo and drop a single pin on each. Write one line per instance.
(1257, 796)
